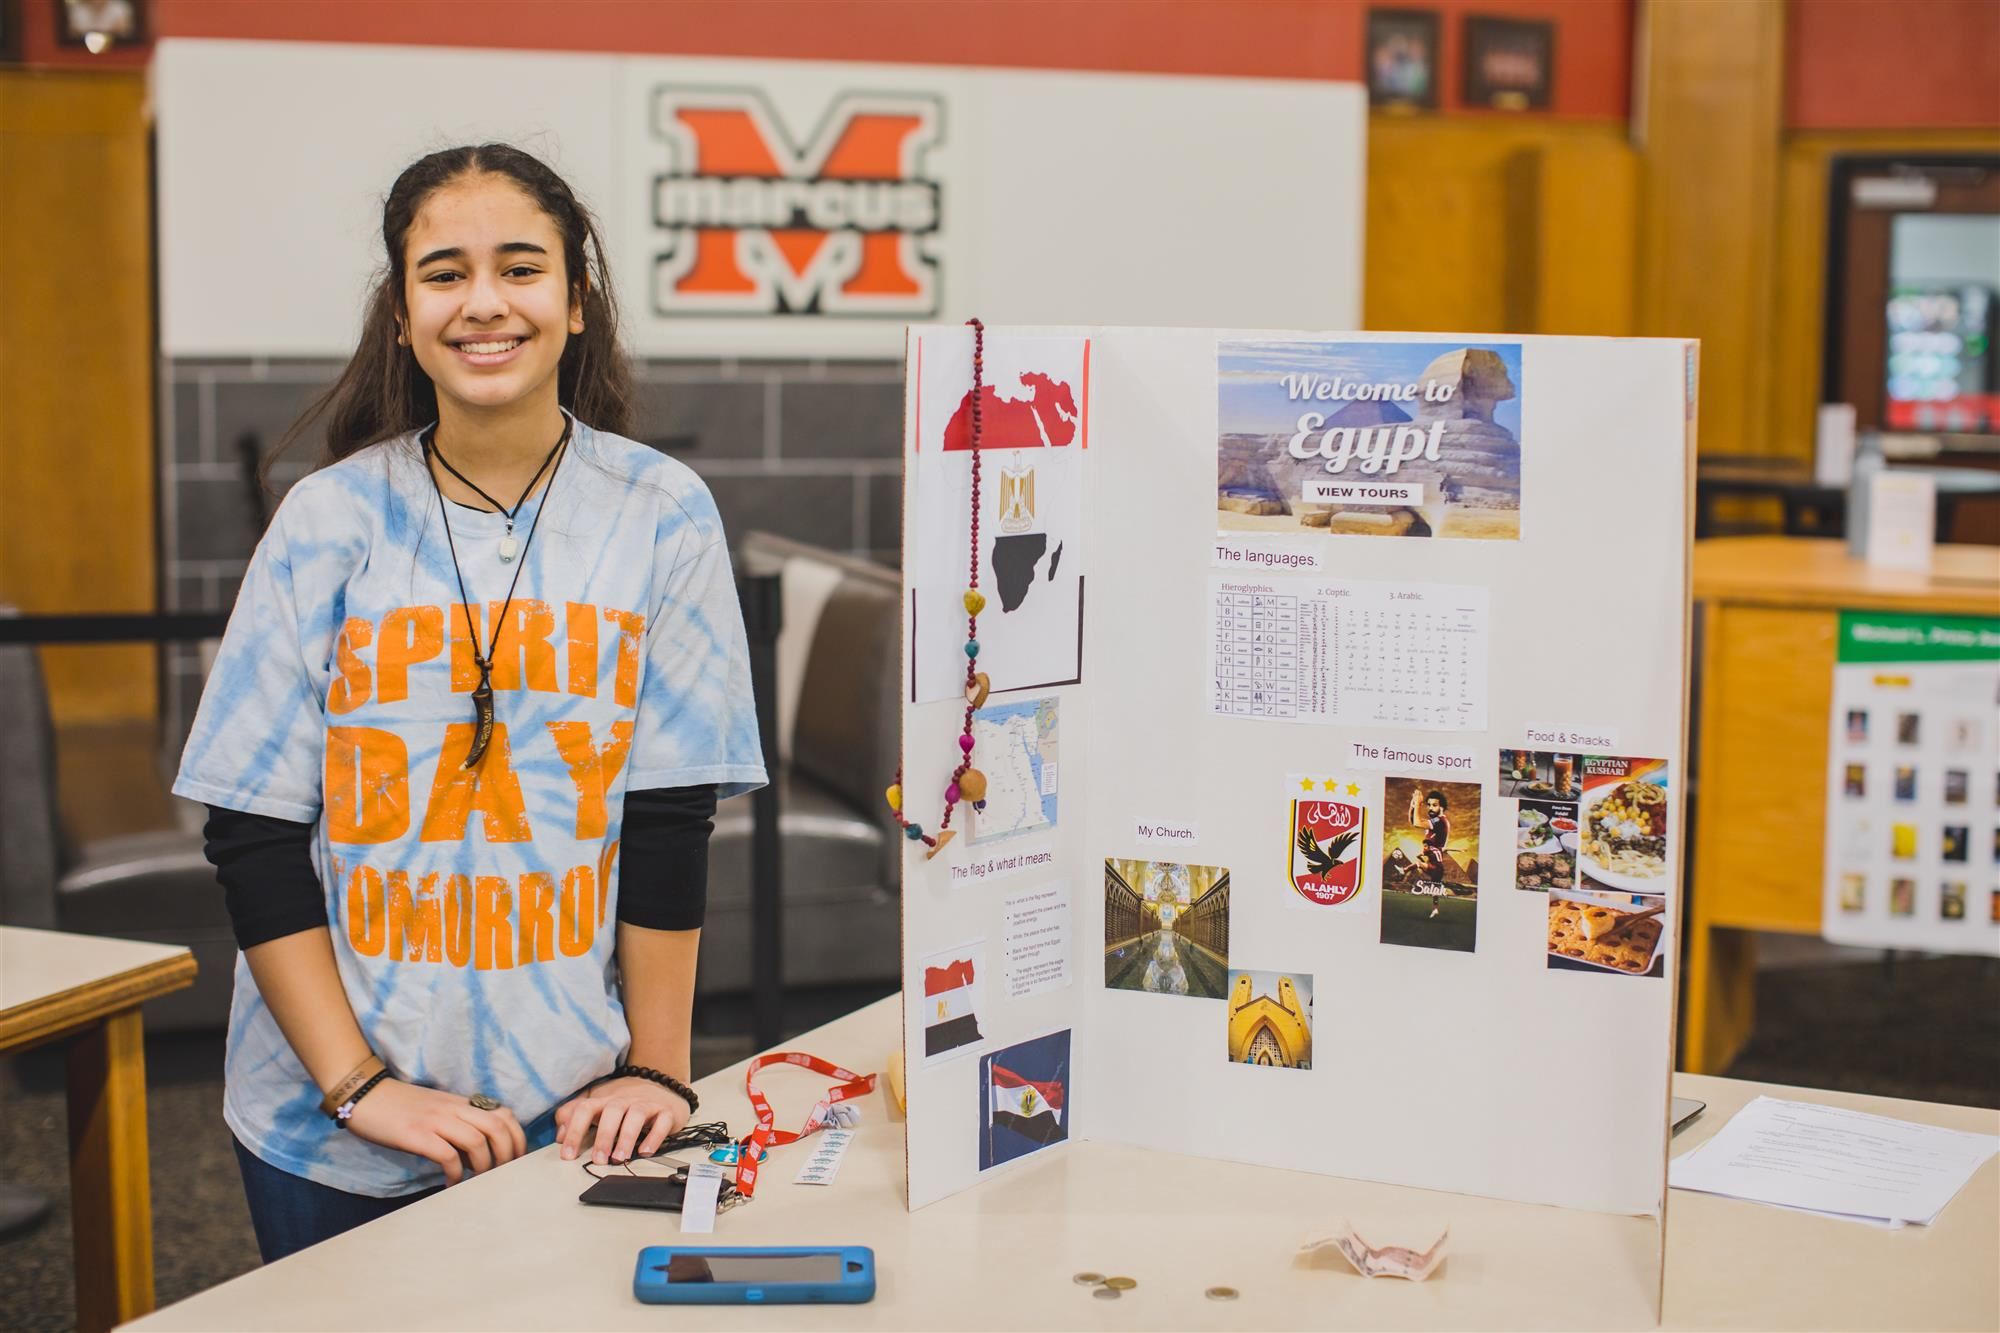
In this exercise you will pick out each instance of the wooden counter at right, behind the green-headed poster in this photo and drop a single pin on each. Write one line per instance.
(1771, 615)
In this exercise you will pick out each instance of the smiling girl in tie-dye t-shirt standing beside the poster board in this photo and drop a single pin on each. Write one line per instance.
(481, 692)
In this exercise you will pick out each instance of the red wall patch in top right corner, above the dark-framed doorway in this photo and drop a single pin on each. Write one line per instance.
(1893, 65)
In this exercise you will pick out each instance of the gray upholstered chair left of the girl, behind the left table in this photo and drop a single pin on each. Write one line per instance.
(145, 886)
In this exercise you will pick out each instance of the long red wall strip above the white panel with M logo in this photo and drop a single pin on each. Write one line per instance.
(1273, 39)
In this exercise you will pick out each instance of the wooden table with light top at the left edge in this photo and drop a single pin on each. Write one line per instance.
(89, 990)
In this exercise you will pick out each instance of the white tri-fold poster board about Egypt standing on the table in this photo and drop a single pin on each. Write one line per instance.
(1333, 752)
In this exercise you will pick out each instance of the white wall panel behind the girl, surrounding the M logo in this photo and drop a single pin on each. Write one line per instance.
(1063, 197)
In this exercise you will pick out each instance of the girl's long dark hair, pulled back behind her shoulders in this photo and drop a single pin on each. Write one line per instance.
(383, 393)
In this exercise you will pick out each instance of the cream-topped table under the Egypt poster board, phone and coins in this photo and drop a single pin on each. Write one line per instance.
(515, 1250)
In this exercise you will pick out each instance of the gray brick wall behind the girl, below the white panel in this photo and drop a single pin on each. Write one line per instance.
(807, 449)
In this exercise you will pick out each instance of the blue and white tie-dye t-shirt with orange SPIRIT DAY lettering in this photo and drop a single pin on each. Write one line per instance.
(473, 912)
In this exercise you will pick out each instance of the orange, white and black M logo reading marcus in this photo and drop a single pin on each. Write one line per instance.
(757, 221)
